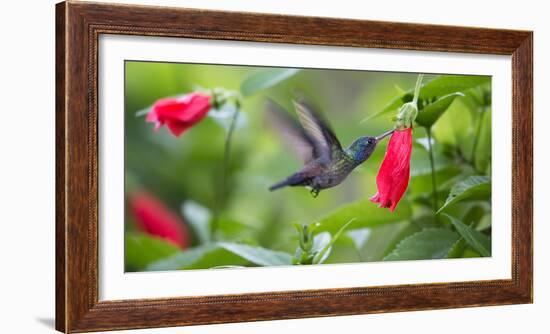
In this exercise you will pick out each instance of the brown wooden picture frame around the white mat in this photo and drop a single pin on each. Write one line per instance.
(78, 26)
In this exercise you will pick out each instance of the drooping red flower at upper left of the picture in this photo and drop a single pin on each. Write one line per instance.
(179, 114)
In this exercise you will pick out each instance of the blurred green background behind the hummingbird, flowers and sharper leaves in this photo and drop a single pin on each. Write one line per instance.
(189, 168)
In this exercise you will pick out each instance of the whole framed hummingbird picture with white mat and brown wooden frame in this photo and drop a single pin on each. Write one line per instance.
(221, 167)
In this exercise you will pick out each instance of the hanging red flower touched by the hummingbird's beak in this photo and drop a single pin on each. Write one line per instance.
(393, 177)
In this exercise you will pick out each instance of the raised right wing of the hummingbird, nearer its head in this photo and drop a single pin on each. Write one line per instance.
(318, 129)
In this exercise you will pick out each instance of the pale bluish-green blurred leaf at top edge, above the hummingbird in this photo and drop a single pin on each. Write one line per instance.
(264, 78)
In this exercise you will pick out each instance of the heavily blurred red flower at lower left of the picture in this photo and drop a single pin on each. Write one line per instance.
(154, 218)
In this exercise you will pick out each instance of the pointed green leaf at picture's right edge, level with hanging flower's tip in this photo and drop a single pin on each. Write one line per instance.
(473, 188)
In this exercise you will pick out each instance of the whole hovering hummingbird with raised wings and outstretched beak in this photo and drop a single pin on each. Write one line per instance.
(326, 162)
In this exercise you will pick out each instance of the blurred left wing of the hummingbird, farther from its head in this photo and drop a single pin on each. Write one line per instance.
(292, 133)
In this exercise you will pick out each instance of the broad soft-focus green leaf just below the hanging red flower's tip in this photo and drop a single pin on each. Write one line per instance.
(365, 213)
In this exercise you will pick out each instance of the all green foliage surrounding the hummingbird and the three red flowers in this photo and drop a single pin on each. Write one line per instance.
(236, 222)
